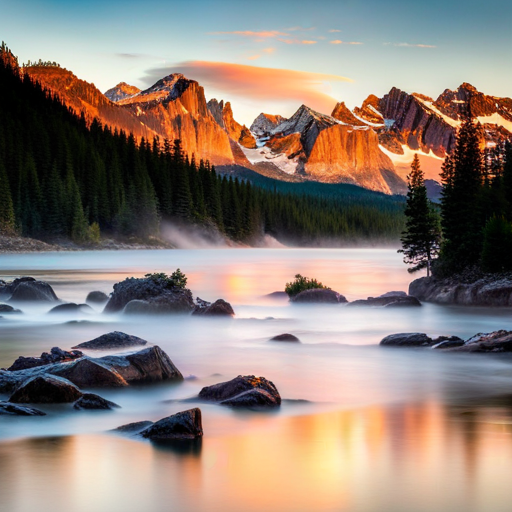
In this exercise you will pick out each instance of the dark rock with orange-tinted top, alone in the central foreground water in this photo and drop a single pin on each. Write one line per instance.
(227, 391)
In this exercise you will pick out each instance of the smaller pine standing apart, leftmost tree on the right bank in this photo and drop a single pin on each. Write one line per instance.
(421, 237)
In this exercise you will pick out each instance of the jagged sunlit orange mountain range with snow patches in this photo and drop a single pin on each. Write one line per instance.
(370, 146)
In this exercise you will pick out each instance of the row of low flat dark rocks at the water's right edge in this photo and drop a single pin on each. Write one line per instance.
(494, 342)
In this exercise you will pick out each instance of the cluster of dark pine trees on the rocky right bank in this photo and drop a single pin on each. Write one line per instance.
(472, 230)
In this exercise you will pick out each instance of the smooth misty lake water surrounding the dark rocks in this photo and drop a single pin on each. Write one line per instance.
(362, 428)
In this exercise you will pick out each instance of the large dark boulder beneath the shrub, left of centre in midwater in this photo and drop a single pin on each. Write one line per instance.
(159, 293)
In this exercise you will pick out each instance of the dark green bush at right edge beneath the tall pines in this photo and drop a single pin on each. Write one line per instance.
(497, 245)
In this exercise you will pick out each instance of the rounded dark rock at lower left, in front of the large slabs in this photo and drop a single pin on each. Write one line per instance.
(46, 389)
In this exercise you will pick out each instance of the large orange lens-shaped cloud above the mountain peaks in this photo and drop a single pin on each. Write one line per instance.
(259, 84)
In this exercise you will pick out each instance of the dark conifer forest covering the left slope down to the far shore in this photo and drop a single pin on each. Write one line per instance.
(60, 177)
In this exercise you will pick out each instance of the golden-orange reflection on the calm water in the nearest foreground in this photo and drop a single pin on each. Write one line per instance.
(419, 457)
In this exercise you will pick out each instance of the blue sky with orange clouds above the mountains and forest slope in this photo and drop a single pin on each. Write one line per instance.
(272, 56)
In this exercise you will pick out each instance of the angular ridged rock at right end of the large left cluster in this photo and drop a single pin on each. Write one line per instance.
(149, 365)
